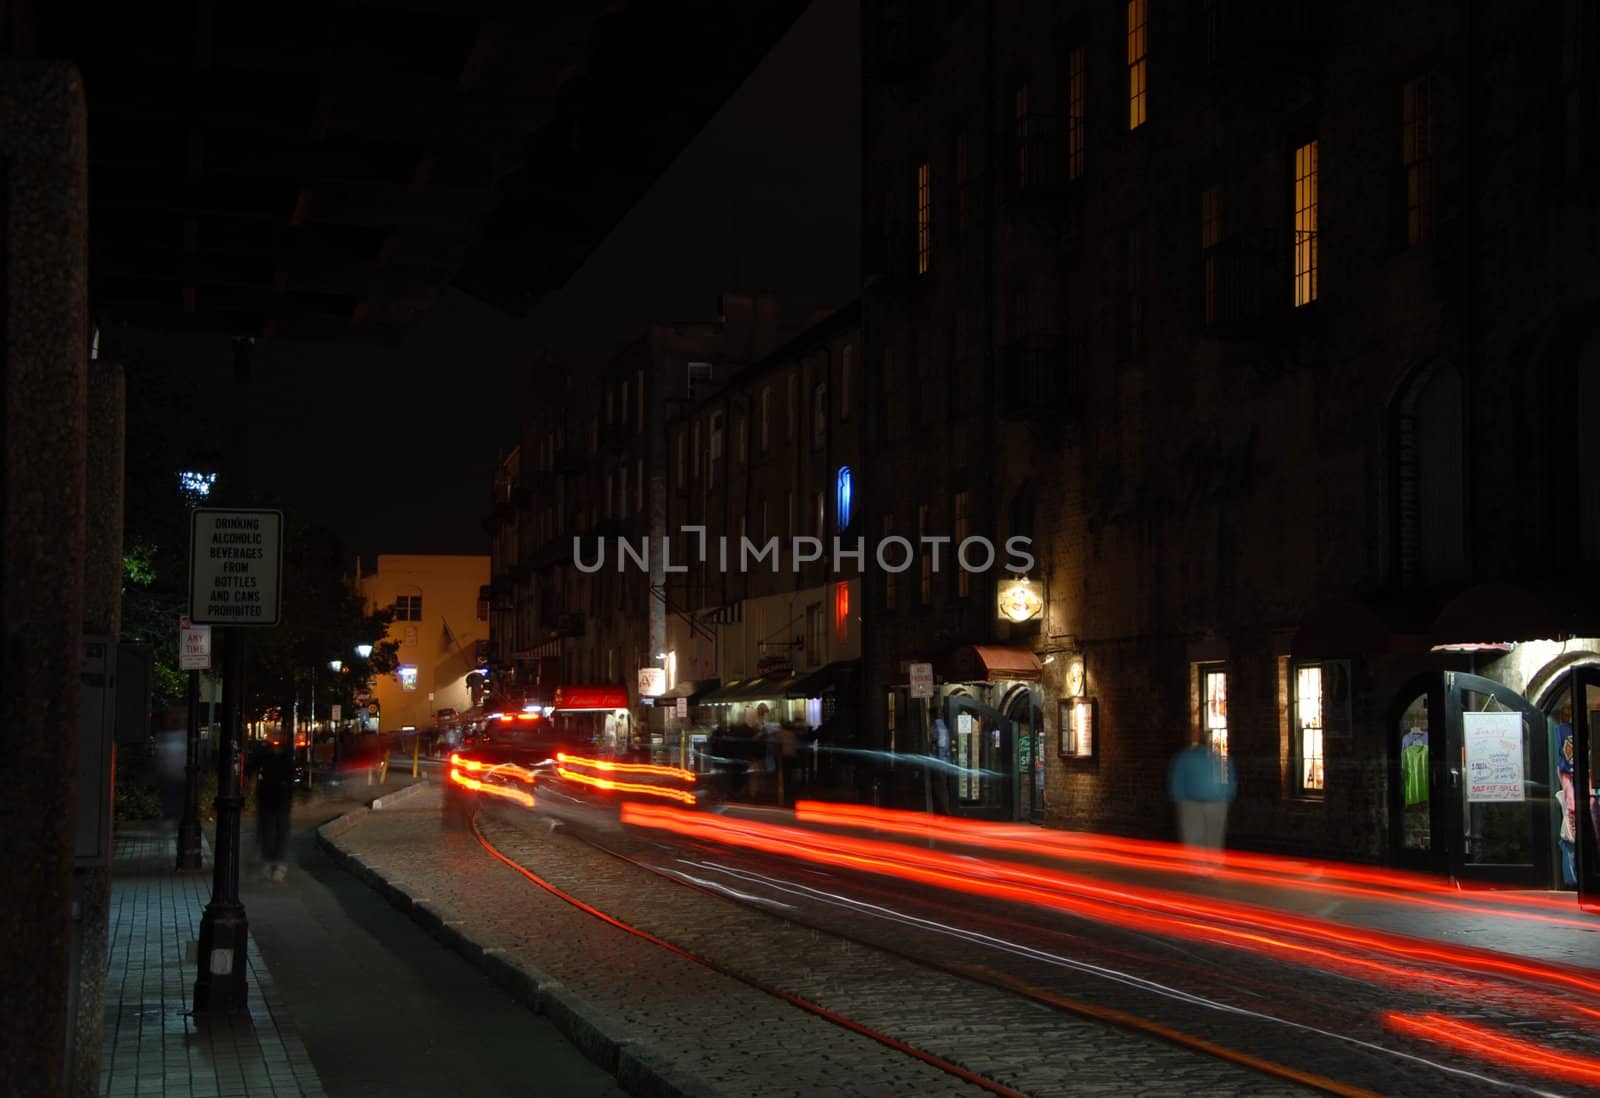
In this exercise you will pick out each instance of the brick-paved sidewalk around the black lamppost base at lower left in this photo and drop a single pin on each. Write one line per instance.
(153, 1043)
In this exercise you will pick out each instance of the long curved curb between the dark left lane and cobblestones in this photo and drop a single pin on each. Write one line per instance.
(590, 1027)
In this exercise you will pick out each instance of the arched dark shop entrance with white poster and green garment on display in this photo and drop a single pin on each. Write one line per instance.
(1471, 782)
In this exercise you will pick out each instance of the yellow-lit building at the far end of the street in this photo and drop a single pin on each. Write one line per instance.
(439, 623)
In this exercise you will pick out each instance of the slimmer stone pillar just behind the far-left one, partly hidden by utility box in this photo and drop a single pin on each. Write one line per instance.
(102, 615)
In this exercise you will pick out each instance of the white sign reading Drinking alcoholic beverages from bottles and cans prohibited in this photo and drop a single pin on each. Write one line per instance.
(236, 559)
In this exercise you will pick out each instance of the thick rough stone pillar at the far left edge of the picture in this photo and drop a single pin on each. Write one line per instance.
(44, 175)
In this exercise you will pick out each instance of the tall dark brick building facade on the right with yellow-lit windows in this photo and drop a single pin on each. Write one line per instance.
(1279, 342)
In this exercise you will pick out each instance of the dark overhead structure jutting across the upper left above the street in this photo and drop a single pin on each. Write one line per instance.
(326, 170)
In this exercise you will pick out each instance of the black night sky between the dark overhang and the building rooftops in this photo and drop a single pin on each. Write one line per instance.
(394, 447)
